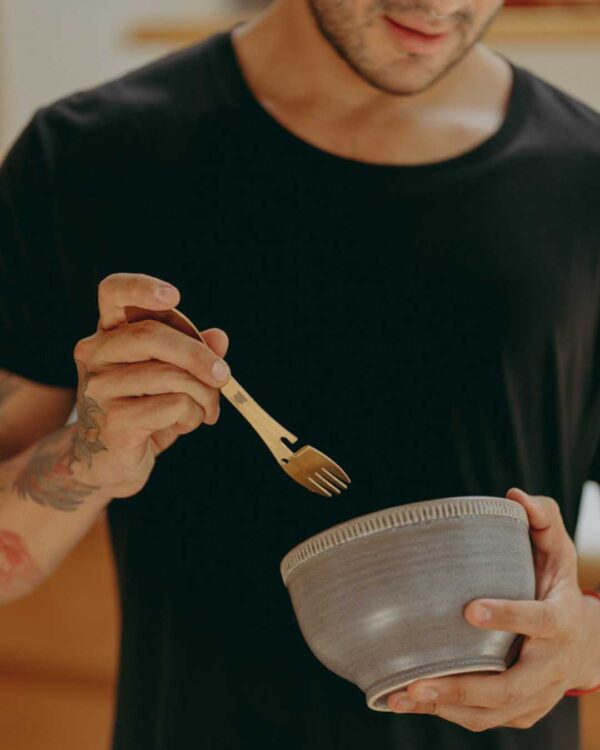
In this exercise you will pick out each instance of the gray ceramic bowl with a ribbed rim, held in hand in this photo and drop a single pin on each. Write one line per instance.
(379, 599)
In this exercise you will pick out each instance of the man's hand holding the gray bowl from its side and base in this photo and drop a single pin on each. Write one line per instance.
(560, 651)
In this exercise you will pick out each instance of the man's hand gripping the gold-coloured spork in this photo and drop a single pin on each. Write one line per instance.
(141, 385)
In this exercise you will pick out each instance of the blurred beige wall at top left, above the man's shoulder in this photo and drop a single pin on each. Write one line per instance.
(49, 48)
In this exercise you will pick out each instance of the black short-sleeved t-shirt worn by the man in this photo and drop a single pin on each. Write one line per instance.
(434, 328)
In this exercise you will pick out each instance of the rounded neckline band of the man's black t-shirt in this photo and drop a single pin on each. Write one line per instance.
(489, 147)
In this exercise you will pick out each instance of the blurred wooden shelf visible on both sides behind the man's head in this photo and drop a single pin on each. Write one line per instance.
(515, 24)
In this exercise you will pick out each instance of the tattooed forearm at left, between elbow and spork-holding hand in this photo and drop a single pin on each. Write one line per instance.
(46, 507)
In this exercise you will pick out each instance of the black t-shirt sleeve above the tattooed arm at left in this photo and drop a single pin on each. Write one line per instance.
(37, 334)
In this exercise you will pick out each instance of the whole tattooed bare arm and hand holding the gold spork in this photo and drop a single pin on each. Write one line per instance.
(141, 386)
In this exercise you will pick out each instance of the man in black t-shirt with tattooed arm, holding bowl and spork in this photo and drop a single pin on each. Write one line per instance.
(398, 229)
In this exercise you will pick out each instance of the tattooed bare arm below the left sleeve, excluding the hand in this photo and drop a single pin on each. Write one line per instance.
(38, 482)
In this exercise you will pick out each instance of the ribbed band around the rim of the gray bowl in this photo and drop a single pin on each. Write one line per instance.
(402, 515)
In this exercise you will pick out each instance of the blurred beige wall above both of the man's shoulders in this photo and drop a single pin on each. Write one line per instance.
(49, 48)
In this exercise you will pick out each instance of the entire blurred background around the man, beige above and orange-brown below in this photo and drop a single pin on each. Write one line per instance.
(58, 647)
